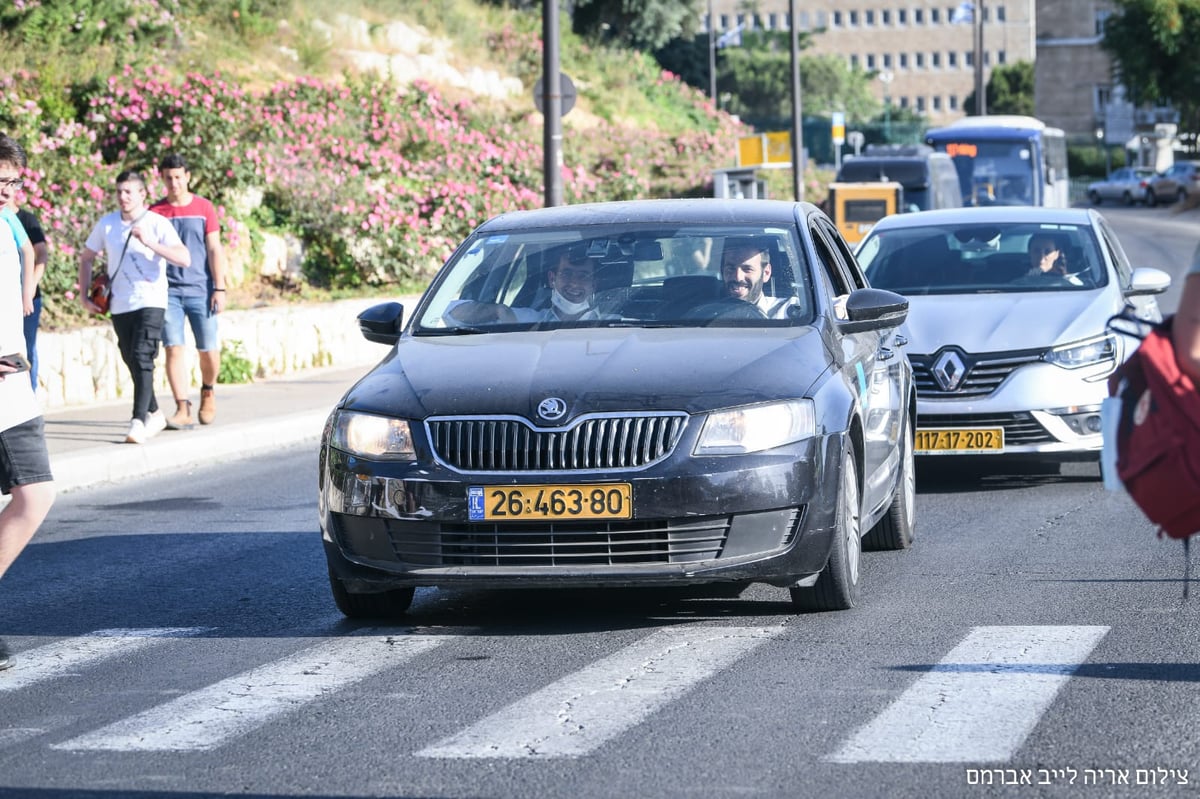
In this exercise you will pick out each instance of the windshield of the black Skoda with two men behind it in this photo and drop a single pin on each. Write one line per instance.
(625, 275)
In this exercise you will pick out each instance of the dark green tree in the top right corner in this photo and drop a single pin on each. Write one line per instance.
(1155, 45)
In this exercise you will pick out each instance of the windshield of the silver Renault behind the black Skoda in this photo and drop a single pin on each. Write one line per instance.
(983, 259)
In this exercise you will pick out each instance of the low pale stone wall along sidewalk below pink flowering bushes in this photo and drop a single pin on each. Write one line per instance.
(85, 367)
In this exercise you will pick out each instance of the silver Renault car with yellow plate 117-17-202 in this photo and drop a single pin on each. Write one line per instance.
(1010, 361)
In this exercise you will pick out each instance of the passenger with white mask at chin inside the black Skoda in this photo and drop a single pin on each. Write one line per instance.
(572, 297)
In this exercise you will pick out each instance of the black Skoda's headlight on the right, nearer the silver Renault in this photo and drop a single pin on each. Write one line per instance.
(754, 429)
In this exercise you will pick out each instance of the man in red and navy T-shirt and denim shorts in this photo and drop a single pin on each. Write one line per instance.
(195, 295)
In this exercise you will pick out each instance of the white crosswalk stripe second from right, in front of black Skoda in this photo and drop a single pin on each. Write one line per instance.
(581, 712)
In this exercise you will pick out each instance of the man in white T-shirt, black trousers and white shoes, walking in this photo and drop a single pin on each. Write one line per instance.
(137, 244)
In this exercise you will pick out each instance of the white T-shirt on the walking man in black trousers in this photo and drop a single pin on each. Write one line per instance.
(141, 277)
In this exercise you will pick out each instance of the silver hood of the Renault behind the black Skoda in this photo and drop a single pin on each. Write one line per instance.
(988, 323)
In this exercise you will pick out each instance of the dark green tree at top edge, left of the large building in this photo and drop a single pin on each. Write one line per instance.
(640, 25)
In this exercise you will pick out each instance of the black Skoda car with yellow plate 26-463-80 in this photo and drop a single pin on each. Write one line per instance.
(675, 436)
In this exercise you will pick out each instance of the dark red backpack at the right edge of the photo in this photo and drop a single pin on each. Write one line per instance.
(1159, 436)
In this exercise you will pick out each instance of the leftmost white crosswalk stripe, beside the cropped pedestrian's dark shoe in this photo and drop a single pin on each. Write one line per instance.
(68, 657)
